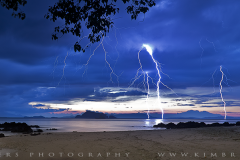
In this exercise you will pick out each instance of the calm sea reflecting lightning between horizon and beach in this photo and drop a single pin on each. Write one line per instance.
(99, 125)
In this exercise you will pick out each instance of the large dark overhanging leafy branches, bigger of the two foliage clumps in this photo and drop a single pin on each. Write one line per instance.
(95, 14)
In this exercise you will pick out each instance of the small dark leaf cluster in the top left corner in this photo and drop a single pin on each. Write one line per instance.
(14, 5)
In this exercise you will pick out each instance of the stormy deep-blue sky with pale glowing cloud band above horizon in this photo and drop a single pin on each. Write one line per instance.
(190, 39)
